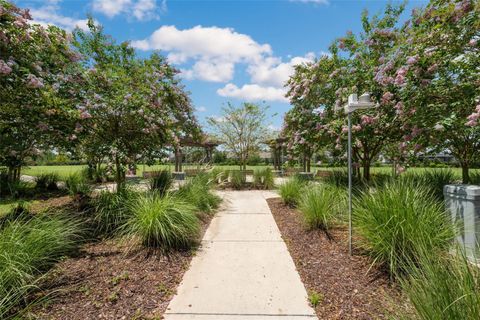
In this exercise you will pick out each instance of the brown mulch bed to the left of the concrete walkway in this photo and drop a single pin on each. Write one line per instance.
(108, 281)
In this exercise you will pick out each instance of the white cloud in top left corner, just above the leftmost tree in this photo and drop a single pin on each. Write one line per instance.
(48, 15)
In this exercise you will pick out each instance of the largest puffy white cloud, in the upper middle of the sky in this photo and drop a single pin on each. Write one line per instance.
(214, 50)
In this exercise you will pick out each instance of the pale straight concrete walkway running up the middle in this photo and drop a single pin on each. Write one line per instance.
(243, 269)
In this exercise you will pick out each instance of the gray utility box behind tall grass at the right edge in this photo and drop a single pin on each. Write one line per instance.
(463, 202)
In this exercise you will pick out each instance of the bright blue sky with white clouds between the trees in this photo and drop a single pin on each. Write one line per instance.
(227, 50)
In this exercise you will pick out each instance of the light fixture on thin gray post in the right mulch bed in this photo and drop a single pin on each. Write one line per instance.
(354, 103)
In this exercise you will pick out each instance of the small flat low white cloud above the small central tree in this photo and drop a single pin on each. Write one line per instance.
(253, 92)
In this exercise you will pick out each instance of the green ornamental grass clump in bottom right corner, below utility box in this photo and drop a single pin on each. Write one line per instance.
(444, 287)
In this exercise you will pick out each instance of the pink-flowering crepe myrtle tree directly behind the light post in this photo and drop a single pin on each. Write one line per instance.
(353, 68)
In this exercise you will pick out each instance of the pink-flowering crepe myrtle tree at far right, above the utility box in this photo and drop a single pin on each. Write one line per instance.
(436, 72)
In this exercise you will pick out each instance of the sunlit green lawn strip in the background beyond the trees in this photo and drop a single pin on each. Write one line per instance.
(64, 171)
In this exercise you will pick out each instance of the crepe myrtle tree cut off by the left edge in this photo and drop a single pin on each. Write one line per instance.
(39, 77)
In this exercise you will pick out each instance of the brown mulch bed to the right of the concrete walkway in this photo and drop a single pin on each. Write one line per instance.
(348, 287)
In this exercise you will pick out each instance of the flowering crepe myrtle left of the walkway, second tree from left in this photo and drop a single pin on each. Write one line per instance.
(133, 107)
